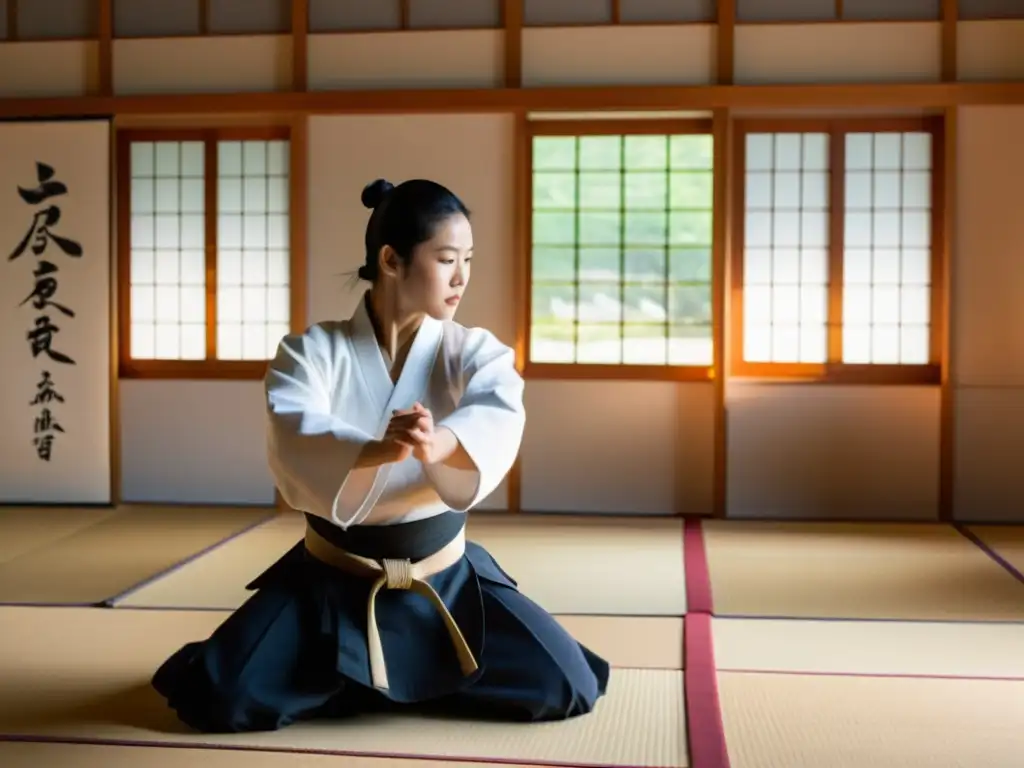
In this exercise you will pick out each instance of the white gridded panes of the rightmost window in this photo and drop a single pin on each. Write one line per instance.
(883, 223)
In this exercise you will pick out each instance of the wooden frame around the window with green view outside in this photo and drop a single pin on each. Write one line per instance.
(601, 371)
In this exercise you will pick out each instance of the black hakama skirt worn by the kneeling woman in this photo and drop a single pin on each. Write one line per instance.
(297, 650)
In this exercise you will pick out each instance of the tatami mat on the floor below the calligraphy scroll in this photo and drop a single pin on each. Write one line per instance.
(118, 552)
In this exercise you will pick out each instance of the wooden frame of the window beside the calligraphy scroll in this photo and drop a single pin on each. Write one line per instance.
(210, 368)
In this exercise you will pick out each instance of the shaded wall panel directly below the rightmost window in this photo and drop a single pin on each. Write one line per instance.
(843, 453)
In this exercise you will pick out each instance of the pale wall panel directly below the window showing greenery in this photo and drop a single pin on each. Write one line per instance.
(644, 448)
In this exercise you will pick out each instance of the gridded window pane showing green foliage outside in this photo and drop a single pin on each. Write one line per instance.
(622, 242)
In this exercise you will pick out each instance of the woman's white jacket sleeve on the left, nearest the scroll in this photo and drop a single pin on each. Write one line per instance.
(312, 452)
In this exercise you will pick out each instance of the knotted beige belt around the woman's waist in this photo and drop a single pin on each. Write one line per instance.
(398, 575)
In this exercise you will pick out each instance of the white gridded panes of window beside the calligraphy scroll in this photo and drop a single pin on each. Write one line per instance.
(169, 228)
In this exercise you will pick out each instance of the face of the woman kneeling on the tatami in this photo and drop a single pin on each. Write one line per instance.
(439, 273)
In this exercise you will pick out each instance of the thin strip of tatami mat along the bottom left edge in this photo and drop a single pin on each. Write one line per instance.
(38, 755)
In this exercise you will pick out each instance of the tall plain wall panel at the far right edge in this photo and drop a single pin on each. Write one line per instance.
(989, 330)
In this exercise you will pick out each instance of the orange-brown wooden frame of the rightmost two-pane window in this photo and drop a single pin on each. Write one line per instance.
(835, 371)
